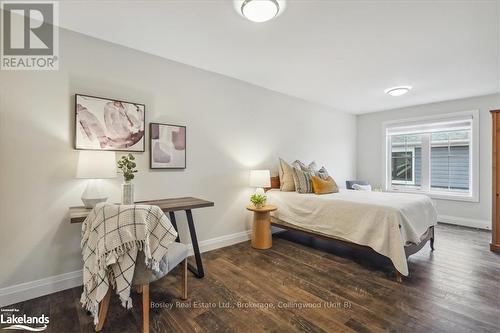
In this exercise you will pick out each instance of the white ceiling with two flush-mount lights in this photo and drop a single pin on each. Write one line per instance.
(339, 53)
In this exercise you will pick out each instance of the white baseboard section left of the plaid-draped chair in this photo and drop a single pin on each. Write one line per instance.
(33, 289)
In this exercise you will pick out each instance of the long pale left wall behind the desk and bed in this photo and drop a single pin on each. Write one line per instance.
(232, 127)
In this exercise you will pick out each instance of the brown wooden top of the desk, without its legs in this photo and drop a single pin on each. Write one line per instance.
(78, 214)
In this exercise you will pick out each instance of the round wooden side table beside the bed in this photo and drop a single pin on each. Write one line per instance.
(261, 230)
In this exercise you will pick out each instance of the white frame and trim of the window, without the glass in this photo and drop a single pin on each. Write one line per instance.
(471, 196)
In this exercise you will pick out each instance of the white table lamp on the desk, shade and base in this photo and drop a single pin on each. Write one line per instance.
(94, 166)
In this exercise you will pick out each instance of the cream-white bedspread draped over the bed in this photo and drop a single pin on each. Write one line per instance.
(386, 222)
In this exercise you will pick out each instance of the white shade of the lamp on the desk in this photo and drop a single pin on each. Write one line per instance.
(96, 164)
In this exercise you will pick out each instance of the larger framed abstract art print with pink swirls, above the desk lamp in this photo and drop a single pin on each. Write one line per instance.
(108, 124)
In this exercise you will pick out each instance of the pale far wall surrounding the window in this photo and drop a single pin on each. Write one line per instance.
(370, 154)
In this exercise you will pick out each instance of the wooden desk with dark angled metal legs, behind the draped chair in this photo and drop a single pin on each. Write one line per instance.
(170, 206)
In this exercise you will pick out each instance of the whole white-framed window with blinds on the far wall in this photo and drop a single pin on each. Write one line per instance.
(436, 155)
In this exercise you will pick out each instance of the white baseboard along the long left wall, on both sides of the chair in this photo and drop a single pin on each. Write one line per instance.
(33, 289)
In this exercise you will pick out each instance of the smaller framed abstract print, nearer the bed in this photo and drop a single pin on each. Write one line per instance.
(168, 146)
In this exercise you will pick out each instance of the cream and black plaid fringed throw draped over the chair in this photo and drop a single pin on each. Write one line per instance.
(111, 237)
